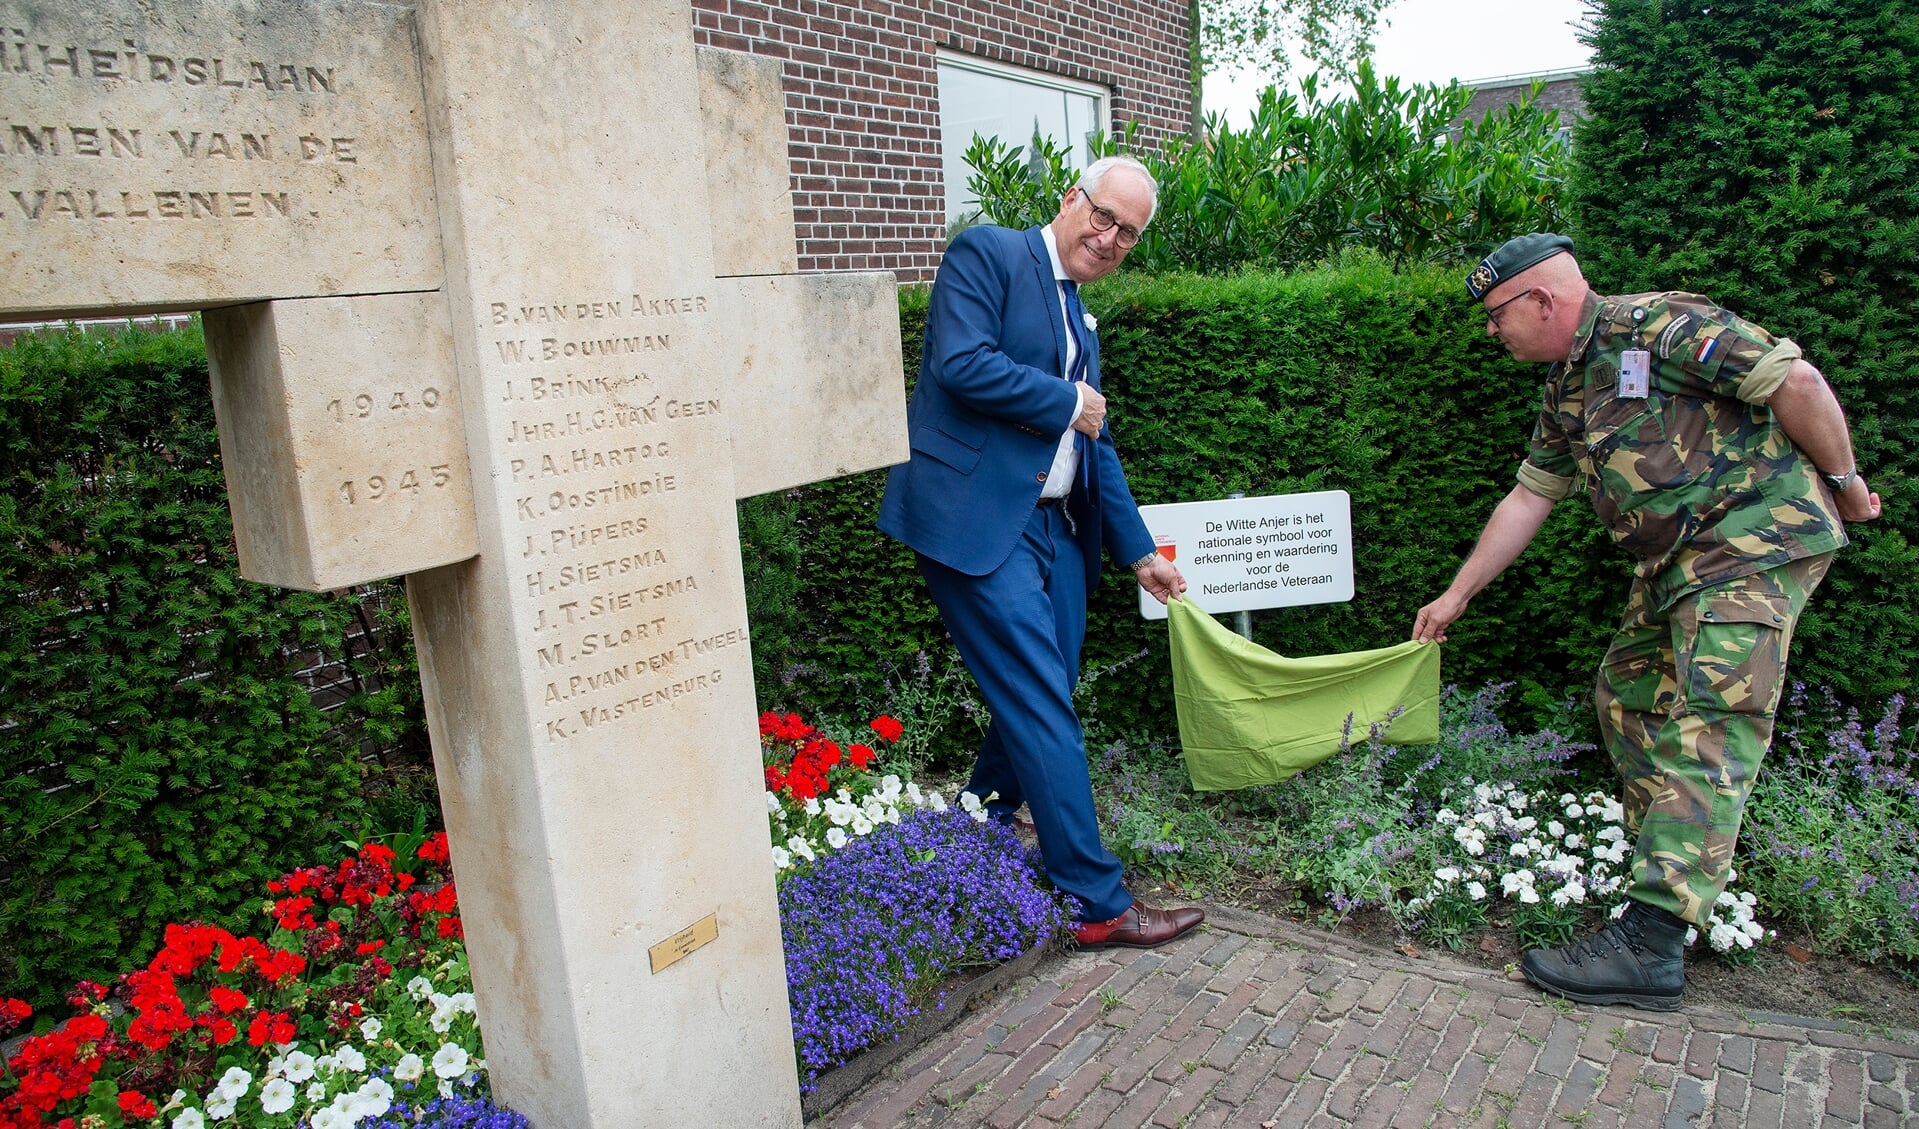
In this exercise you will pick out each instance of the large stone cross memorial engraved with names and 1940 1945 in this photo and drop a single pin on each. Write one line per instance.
(500, 297)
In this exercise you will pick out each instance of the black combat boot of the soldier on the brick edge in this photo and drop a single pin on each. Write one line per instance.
(1638, 961)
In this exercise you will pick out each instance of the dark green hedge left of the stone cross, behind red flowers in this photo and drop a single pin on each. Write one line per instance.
(158, 756)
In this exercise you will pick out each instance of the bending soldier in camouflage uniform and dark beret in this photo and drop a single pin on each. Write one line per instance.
(1722, 462)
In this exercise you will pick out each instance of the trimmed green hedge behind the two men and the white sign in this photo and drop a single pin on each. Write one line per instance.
(1350, 377)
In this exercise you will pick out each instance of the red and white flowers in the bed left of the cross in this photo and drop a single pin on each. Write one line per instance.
(354, 1011)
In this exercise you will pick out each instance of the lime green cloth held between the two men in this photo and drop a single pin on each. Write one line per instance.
(1254, 717)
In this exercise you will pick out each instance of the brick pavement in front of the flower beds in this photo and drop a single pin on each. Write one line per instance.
(1254, 1022)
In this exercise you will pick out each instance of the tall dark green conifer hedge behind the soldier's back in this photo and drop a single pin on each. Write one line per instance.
(1765, 155)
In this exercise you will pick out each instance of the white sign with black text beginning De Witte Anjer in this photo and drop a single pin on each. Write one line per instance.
(1246, 554)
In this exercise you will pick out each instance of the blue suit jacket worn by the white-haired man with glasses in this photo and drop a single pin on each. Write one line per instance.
(987, 414)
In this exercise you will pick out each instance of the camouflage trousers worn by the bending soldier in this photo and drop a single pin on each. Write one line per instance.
(1686, 708)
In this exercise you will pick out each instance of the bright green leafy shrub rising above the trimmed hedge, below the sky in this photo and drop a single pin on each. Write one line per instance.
(1385, 170)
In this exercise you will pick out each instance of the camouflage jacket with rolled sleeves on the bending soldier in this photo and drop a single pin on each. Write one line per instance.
(1695, 481)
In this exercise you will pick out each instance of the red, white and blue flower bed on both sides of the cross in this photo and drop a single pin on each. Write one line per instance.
(358, 1009)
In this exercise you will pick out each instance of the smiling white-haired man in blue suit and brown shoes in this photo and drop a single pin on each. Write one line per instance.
(1008, 500)
